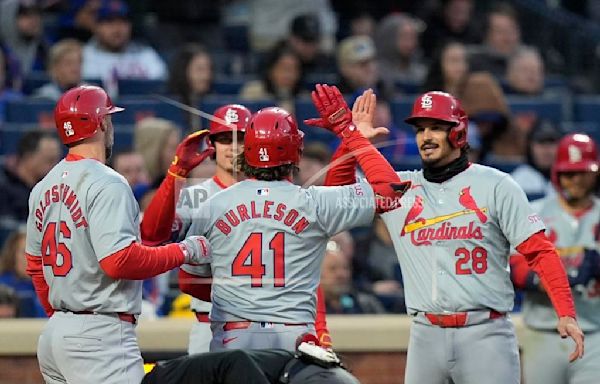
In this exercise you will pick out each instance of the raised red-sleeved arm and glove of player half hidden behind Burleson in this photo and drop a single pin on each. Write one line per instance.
(160, 213)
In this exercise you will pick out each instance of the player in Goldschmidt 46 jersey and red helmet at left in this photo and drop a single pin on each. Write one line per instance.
(83, 252)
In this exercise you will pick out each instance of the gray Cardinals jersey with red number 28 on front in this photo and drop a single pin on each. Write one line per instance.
(453, 239)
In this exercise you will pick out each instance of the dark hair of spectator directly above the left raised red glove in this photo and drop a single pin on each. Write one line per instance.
(178, 83)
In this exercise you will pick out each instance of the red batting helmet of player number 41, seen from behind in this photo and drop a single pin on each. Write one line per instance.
(272, 139)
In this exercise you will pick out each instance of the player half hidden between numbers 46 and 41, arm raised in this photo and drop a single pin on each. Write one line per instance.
(156, 229)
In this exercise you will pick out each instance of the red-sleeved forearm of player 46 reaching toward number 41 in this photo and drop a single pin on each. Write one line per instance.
(138, 262)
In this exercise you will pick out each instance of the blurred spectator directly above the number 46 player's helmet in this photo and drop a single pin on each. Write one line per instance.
(64, 68)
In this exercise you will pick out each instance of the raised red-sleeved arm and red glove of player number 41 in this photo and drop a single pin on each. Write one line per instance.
(336, 116)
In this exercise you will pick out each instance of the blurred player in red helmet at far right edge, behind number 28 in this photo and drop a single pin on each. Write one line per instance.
(572, 217)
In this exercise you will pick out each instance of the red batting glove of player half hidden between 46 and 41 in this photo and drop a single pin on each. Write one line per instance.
(187, 156)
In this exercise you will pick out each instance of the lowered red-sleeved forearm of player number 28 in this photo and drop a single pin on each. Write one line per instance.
(544, 260)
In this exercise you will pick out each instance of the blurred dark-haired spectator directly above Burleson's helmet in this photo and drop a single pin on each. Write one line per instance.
(281, 79)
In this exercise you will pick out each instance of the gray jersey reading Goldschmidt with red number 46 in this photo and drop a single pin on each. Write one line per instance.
(80, 213)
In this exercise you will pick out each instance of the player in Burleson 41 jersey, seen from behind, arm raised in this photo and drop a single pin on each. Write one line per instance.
(271, 234)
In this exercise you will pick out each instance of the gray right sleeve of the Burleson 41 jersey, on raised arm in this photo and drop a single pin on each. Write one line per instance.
(345, 207)
